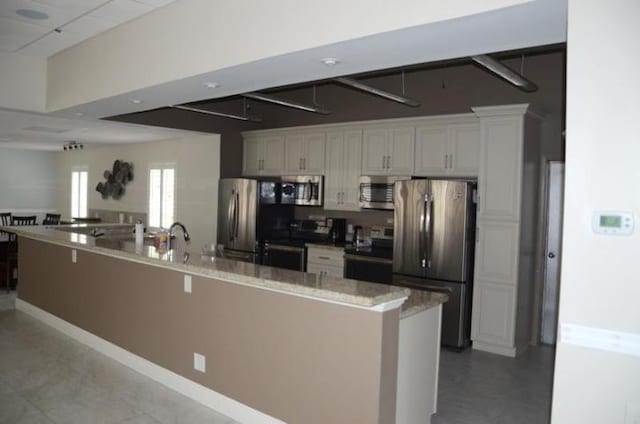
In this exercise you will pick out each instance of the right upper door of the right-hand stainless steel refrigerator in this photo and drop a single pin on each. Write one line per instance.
(447, 230)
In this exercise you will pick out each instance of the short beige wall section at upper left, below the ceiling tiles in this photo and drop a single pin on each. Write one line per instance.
(22, 85)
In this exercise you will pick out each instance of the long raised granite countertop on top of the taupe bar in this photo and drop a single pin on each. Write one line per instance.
(341, 290)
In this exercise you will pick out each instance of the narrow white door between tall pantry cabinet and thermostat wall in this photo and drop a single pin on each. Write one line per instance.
(555, 193)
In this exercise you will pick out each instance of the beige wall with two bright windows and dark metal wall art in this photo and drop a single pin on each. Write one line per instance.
(197, 162)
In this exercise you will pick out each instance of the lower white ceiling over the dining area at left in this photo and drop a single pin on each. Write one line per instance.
(42, 132)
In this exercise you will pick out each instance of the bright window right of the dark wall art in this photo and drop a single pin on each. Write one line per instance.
(161, 196)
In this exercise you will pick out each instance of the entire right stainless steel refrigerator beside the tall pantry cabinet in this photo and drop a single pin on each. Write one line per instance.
(433, 247)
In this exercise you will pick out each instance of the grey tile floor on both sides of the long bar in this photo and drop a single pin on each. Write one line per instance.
(46, 377)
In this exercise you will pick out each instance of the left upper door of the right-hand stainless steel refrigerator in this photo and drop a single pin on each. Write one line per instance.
(409, 224)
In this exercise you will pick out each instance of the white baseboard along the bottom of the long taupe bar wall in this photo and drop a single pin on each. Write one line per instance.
(214, 400)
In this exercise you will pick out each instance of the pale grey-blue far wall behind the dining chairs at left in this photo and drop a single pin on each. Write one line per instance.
(28, 180)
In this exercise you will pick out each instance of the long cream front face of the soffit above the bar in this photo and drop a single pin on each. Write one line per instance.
(192, 37)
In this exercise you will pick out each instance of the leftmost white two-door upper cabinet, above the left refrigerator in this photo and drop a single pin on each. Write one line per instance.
(263, 155)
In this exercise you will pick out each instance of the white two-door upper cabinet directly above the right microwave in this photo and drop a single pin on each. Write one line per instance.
(388, 151)
